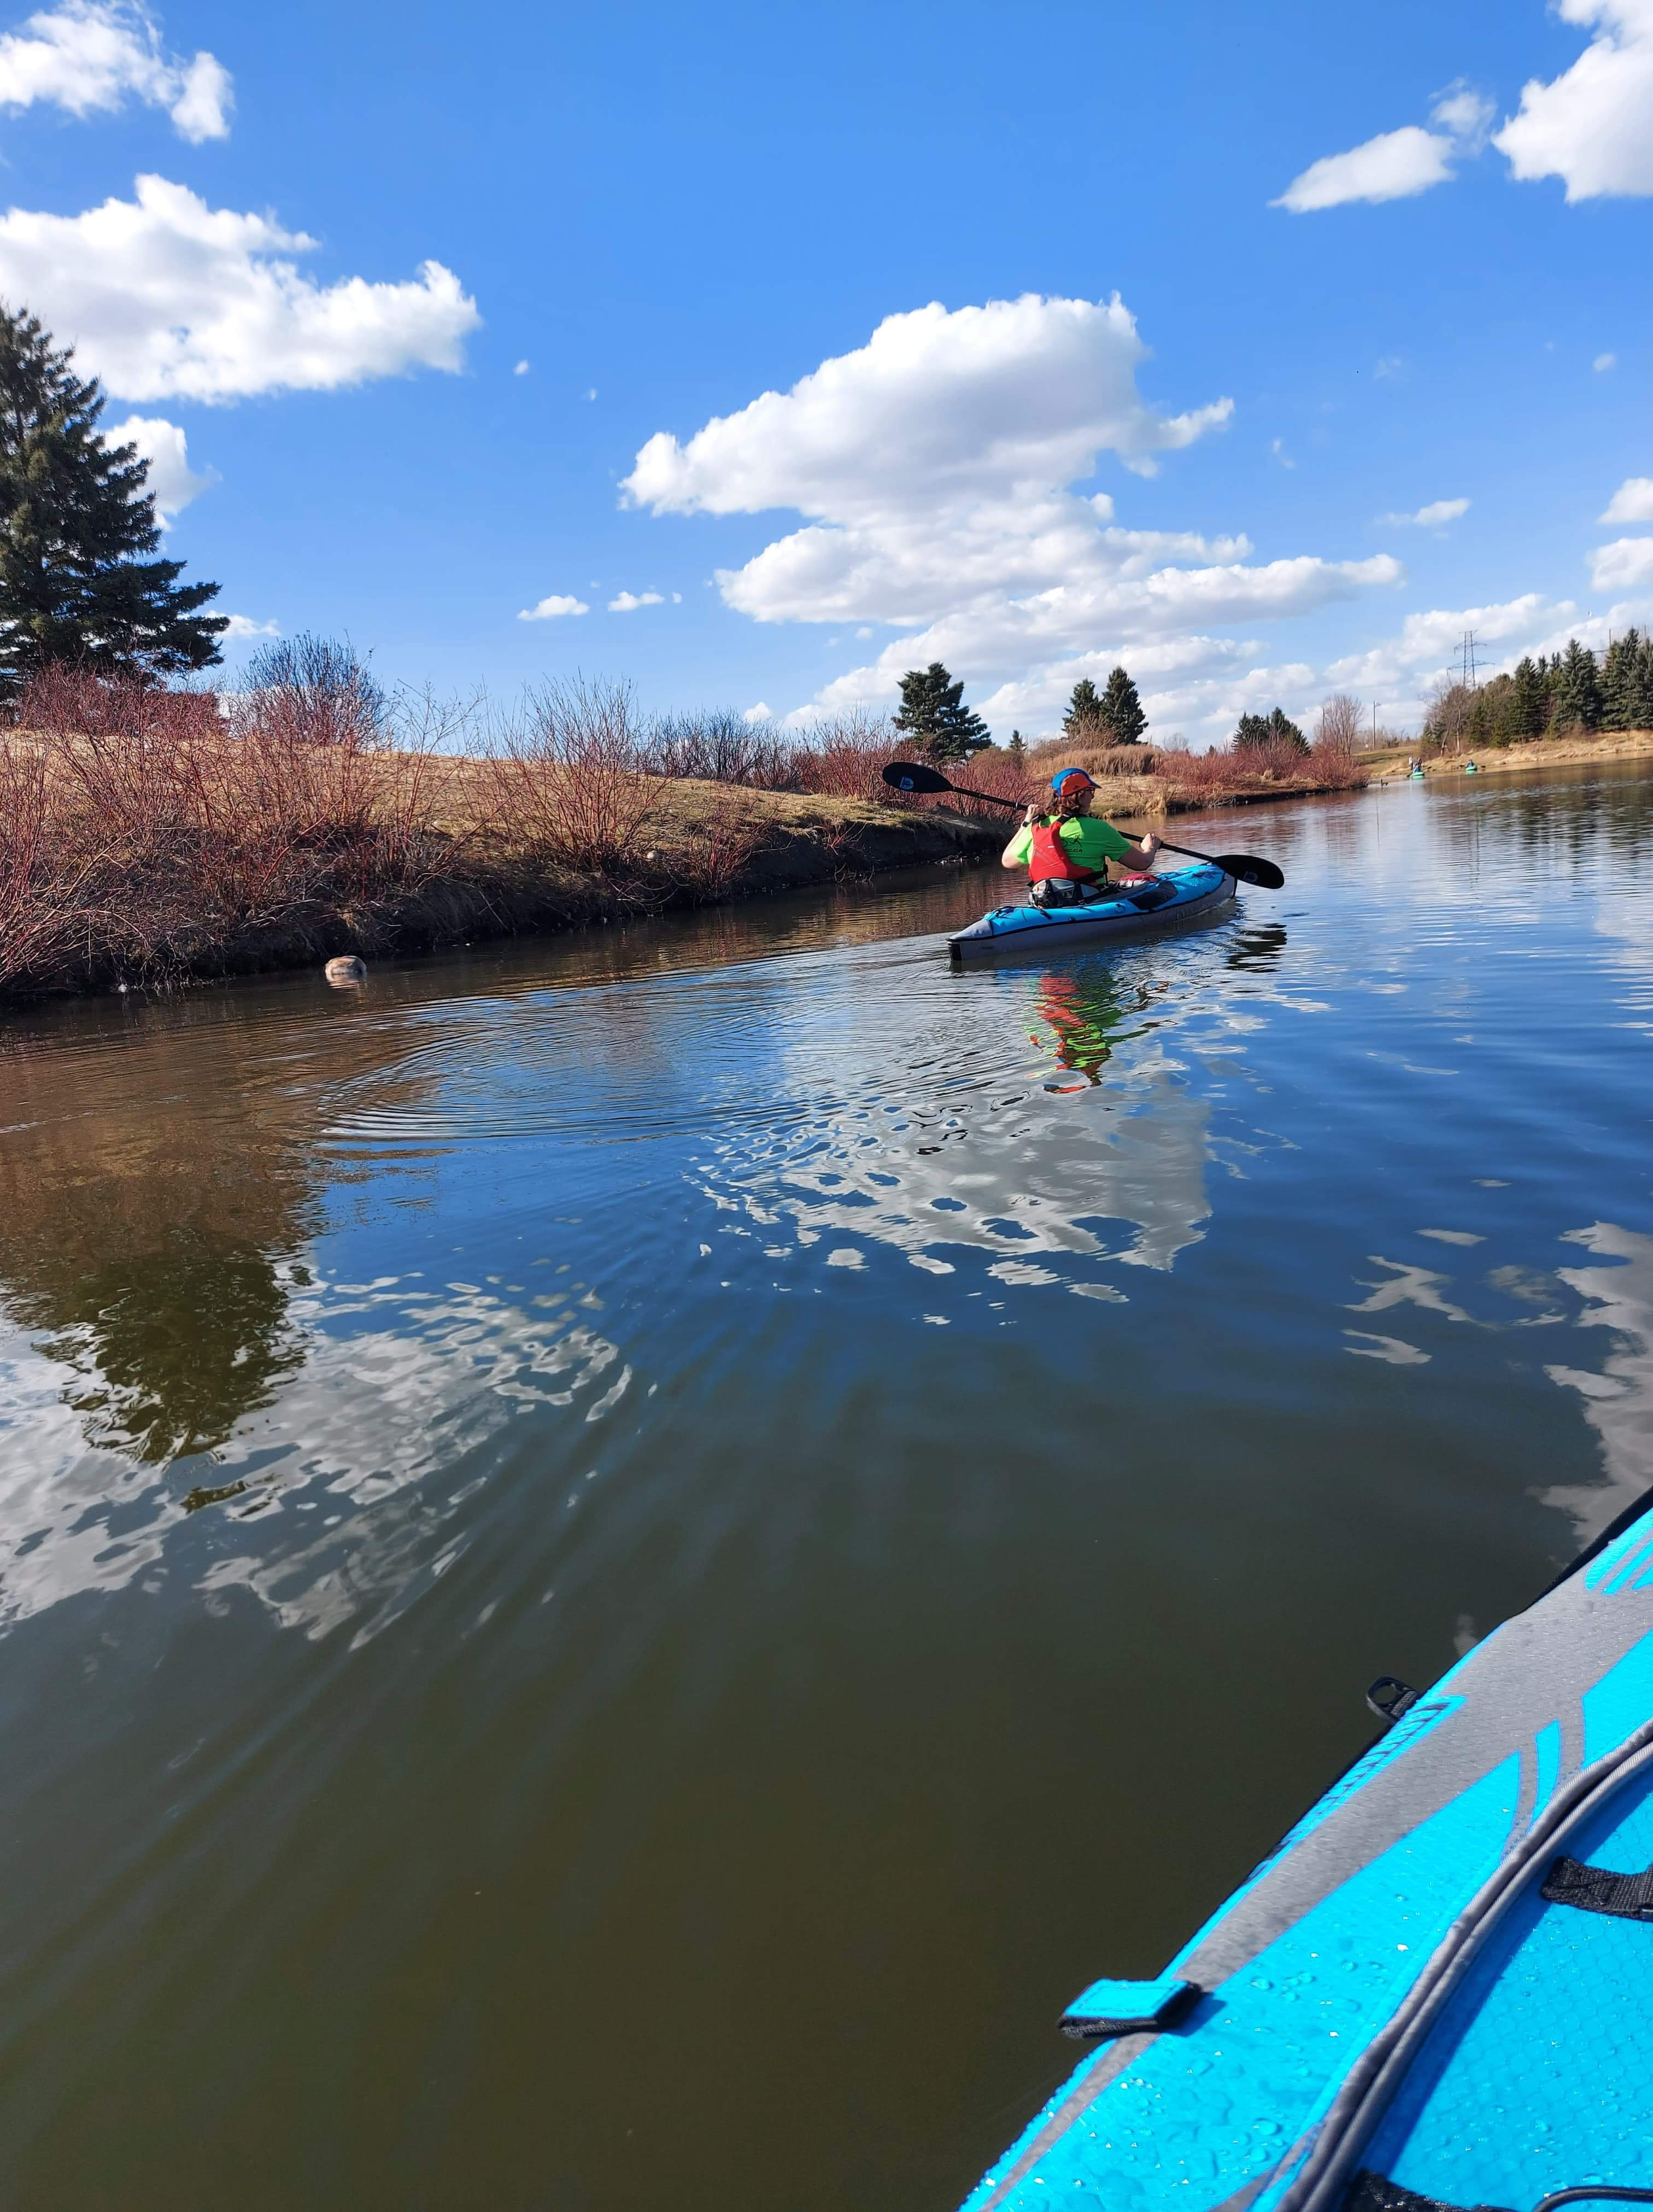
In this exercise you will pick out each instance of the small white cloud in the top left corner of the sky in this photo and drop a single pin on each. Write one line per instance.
(92, 56)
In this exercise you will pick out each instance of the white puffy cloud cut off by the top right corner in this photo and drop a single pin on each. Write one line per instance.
(1594, 125)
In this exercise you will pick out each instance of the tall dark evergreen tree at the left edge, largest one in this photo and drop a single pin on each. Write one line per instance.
(76, 532)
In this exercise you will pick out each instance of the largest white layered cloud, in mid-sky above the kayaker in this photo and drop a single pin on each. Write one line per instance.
(937, 474)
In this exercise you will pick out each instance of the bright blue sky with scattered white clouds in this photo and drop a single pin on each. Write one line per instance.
(926, 213)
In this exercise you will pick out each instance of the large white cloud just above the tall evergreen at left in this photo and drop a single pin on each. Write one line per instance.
(167, 298)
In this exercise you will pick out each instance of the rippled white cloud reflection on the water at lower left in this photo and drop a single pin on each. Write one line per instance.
(397, 1388)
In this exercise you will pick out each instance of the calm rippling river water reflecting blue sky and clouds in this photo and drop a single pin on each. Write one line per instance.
(623, 1563)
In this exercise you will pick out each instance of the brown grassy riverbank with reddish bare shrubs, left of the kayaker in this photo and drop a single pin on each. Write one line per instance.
(141, 864)
